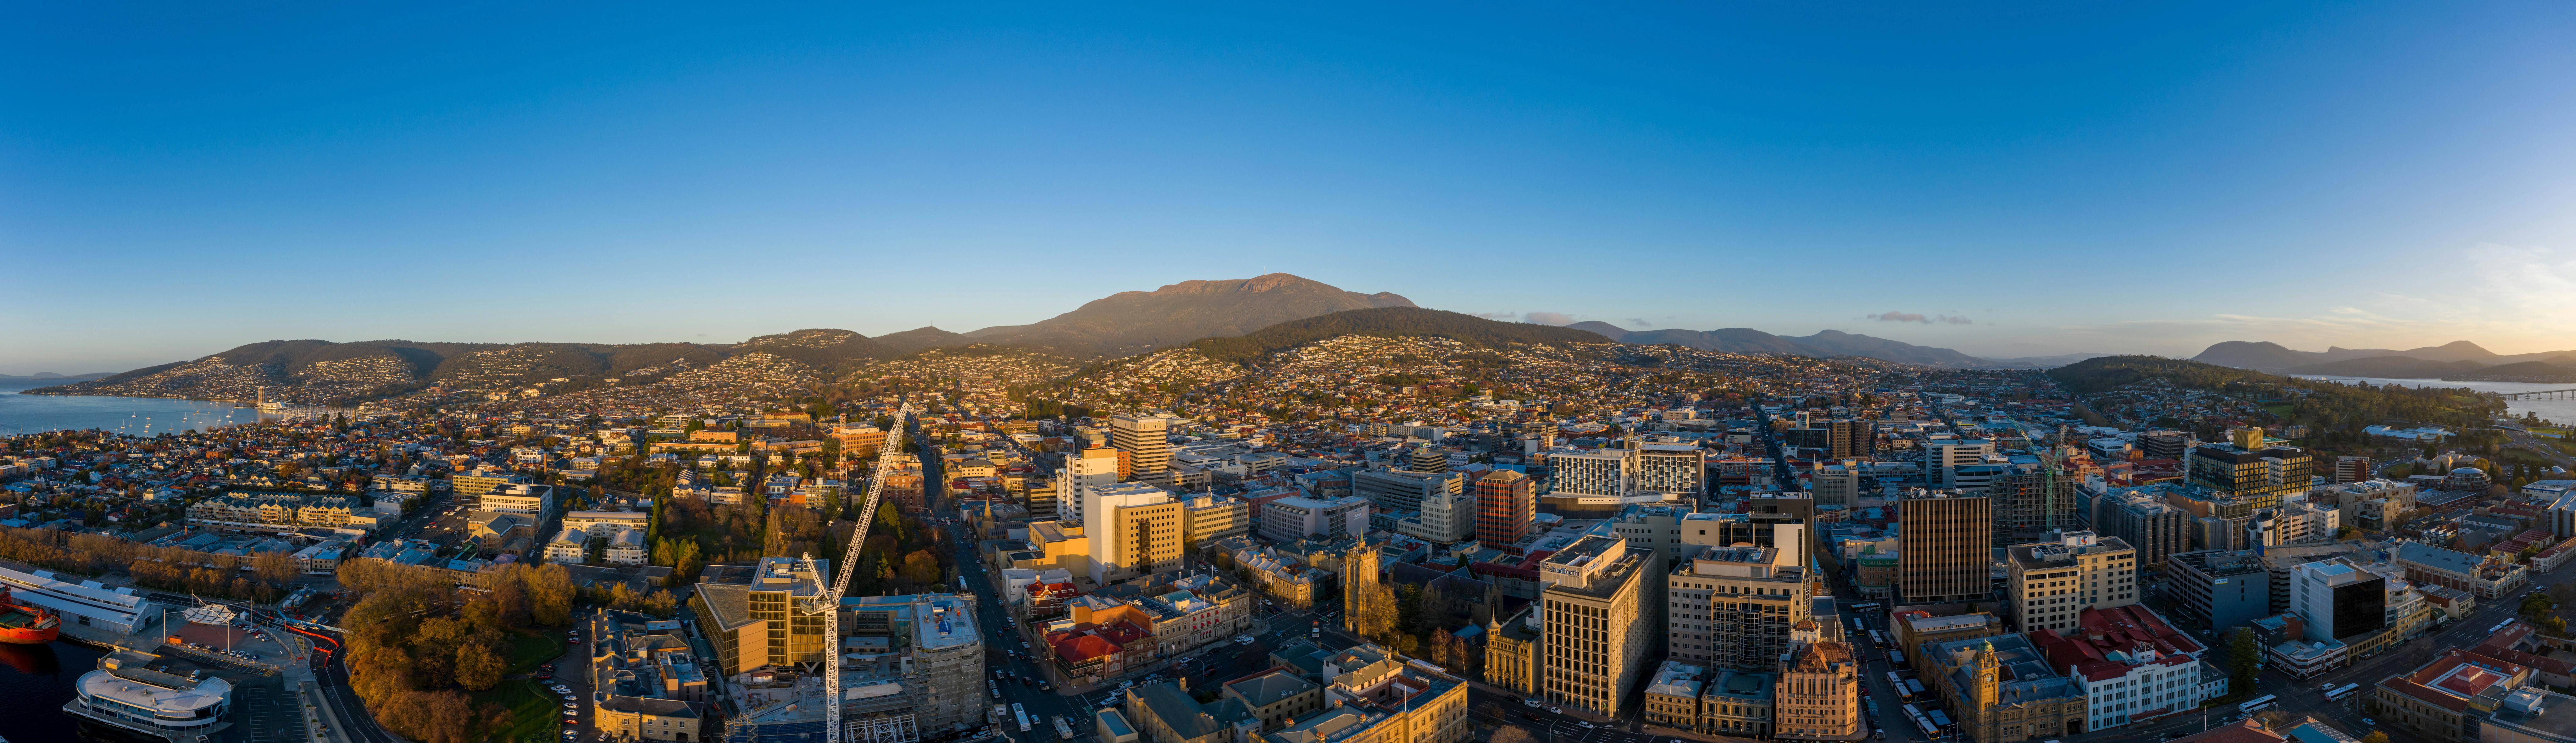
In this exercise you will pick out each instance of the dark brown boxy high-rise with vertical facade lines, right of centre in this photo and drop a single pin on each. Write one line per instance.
(1946, 548)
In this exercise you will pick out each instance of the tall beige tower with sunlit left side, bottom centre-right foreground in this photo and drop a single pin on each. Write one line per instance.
(1601, 623)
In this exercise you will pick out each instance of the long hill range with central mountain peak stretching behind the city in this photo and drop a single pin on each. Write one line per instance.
(1235, 319)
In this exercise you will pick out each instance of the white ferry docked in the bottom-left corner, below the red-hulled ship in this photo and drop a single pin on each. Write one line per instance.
(133, 695)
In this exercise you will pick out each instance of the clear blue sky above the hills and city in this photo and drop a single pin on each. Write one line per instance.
(2026, 179)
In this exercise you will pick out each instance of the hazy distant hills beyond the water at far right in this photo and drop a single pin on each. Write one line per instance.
(2456, 362)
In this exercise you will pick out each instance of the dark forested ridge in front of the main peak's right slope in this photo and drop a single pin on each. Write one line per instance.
(1387, 324)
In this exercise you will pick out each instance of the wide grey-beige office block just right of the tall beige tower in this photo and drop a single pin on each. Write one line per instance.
(1732, 608)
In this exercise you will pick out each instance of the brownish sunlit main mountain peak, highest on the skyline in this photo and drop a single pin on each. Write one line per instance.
(1140, 321)
